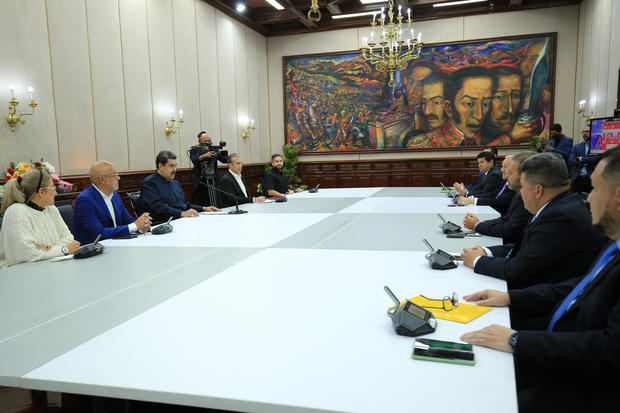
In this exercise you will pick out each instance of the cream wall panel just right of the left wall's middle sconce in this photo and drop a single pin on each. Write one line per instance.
(186, 75)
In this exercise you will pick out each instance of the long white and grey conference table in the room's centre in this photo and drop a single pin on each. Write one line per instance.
(281, 309)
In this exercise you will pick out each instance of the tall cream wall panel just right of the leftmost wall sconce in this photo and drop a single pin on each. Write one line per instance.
(72, 84)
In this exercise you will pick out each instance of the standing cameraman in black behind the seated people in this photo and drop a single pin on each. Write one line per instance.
(205, 170)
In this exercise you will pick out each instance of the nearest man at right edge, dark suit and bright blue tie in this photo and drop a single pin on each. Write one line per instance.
(569, 362)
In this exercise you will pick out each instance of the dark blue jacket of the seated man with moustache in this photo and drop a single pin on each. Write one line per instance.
(164, 199)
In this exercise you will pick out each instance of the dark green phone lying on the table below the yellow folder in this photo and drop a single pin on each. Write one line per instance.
(443, 351)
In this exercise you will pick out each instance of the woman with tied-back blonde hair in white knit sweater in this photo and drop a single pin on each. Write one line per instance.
(32, 228)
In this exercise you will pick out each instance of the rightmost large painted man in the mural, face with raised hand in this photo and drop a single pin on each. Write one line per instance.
(501, 126)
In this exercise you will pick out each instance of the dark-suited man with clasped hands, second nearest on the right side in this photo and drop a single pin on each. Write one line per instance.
(558, 243)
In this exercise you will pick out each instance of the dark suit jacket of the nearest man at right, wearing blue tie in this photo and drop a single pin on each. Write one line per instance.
(568, 362)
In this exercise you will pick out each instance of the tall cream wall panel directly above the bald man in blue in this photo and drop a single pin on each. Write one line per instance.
(106, 64)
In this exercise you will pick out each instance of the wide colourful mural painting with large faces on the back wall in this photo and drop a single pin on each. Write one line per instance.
(478, 93)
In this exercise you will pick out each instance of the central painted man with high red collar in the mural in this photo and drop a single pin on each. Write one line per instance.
(468, 95)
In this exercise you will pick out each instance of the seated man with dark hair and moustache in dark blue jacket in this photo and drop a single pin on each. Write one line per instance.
(162, 195)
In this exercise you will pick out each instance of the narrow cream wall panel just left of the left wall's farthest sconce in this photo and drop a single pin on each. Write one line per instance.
(226, 79)
